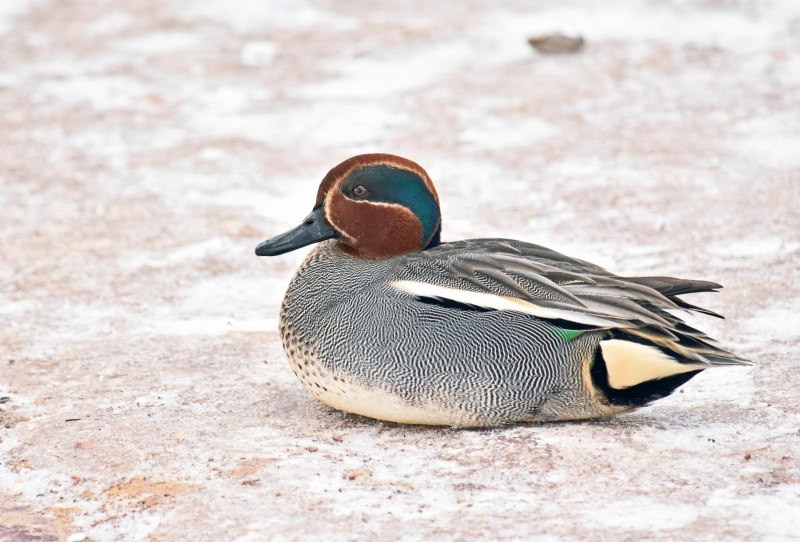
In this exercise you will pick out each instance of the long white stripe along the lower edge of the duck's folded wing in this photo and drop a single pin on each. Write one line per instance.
(502, 303)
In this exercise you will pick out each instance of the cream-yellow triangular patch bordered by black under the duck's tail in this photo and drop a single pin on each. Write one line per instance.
(629, 363)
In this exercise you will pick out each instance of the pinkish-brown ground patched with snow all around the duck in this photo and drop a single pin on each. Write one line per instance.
(146, 147)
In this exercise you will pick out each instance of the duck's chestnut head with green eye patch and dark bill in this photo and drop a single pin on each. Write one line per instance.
(375, 205)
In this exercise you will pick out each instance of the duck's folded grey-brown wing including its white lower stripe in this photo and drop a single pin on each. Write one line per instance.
(572, 294)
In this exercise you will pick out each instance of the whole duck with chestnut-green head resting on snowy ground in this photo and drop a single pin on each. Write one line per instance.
(384, 320)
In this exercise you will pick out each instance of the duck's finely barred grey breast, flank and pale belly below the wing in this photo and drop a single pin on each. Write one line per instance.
(361, 345)
